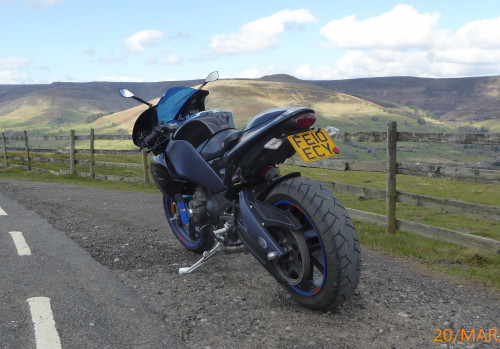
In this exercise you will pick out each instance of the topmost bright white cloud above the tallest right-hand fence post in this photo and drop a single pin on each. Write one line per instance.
(402, 27)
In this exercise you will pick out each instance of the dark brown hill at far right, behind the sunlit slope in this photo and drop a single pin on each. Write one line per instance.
(465, 103)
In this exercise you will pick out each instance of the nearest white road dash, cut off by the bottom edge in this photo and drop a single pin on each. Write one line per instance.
(46, 335)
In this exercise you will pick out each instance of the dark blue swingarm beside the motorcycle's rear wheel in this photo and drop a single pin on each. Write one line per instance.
(255, 217)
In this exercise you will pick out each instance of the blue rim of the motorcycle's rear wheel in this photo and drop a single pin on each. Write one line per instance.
(315, 284)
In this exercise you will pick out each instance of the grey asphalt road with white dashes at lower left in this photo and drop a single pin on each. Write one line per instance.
(91, 308)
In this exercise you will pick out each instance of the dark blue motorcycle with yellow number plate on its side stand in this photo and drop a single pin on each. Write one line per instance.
(223, 192)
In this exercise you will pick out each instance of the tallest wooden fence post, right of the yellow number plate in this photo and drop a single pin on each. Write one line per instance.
(390, 201)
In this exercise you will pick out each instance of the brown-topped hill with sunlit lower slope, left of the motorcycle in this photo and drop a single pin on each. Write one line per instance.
(54, 105)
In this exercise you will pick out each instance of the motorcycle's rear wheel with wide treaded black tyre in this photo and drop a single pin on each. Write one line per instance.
(323, 265)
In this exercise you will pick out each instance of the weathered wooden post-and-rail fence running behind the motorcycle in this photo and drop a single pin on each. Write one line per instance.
(391, 167)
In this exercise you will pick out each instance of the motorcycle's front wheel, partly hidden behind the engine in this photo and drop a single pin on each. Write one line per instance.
(192, 237)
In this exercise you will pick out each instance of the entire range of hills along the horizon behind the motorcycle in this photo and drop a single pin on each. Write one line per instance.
(357, 104)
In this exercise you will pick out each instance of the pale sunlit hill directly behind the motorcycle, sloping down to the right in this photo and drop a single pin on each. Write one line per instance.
(246, 98)
